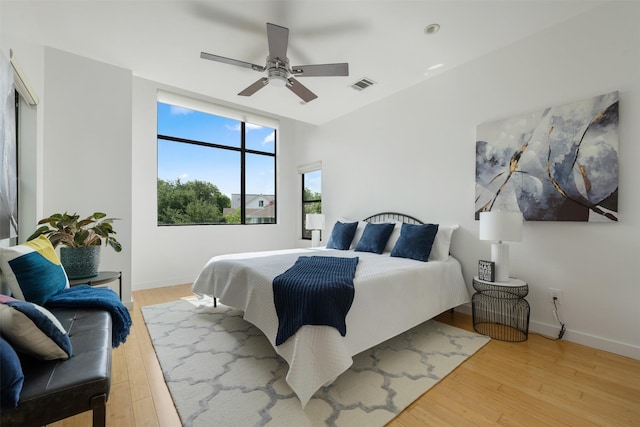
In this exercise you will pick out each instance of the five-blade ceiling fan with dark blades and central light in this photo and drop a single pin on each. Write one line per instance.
(279, 72)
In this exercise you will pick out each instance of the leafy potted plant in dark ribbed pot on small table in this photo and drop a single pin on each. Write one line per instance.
(80, 240)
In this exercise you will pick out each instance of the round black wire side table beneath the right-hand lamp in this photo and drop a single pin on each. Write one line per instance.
(500, 309)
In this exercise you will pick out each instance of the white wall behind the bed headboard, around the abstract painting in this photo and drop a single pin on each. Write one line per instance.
(415, 153)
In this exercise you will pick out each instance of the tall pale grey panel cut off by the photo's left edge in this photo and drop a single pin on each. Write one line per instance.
(8, 151)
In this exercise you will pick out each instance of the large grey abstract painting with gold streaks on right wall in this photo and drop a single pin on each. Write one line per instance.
(556, 164)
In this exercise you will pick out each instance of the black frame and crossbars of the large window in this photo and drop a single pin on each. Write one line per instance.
(243, 152)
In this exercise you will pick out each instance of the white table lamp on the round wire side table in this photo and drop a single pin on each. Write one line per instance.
(499, 227)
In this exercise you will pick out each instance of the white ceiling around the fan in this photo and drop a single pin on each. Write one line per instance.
(381, 40)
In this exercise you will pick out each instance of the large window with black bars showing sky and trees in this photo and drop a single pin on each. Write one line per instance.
(213, 169)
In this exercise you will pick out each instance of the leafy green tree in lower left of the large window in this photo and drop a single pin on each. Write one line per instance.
(191, 202)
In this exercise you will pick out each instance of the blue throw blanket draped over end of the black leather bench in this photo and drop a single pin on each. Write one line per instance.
(90, 297)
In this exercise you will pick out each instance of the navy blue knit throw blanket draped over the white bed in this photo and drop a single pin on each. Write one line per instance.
(316, 290)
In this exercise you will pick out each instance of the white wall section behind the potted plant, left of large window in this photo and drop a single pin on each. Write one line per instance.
(87, 147)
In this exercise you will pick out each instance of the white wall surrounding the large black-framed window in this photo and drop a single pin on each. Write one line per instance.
(171, 255)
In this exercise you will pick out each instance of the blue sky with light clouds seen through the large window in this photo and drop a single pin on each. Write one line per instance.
(221, 167)
